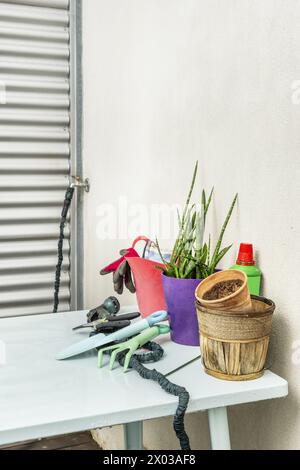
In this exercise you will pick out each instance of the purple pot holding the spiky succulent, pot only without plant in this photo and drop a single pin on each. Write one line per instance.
(180, 300)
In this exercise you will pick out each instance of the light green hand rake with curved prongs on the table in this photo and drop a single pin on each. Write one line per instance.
(132, 345)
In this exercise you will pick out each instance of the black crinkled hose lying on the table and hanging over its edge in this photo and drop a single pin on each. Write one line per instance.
(154, 355)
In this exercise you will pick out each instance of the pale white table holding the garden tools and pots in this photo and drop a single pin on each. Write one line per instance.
(42, 397)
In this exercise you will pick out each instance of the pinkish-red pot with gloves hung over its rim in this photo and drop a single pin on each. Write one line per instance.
(148, 283)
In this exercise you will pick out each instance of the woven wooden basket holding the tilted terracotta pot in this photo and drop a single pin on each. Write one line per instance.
(234, 346)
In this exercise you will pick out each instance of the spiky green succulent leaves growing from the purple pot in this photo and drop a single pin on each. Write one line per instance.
(192, 257)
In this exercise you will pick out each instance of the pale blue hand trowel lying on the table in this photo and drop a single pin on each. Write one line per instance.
(101, 339)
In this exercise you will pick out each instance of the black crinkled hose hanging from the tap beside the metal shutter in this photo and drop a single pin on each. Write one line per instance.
(64, 214)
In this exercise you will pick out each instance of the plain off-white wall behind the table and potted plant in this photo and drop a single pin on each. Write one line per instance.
(171, 81)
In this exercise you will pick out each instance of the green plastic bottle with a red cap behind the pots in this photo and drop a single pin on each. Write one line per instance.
(246, 263)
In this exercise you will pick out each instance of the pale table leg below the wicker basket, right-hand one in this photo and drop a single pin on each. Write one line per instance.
(219, 429)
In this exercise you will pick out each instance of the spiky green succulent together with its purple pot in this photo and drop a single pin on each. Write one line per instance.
(192, 261)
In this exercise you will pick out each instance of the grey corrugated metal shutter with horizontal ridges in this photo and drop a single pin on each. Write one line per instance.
(35, 161)
